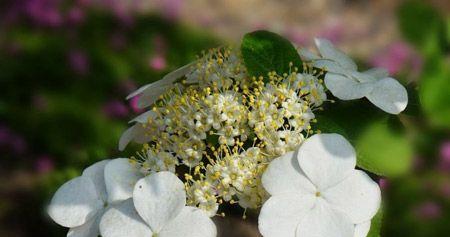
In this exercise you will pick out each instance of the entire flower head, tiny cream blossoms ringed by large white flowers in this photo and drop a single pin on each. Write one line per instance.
(235, 138)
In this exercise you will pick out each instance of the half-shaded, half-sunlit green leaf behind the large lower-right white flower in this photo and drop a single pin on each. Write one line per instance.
(379, 138)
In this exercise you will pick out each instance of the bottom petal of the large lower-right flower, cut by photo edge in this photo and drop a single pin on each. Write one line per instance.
(324, 221)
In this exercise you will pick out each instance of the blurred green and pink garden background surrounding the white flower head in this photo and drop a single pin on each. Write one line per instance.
(66, 67)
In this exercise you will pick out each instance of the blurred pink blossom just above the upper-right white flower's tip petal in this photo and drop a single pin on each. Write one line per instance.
(396, 57)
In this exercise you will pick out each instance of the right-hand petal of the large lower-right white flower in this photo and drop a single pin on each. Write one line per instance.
(358, 196)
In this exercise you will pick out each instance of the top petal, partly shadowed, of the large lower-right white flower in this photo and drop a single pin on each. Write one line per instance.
(326, 159)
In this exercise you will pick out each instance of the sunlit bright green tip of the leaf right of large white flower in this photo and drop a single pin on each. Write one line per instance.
(384, 151)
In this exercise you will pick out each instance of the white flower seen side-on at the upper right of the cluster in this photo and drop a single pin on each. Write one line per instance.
(346, 83)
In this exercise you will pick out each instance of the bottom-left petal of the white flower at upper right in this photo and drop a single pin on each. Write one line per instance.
(346, 88)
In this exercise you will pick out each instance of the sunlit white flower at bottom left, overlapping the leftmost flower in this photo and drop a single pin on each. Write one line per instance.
(159, 210)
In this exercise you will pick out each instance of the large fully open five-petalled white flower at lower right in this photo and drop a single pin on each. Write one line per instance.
(316, 191)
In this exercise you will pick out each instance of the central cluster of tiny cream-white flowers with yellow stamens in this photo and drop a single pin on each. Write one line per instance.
(226, 126)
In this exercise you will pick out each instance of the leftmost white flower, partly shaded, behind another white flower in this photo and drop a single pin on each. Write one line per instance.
(80, 203)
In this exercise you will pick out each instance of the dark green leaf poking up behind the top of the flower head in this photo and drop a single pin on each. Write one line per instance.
(264, 52)
